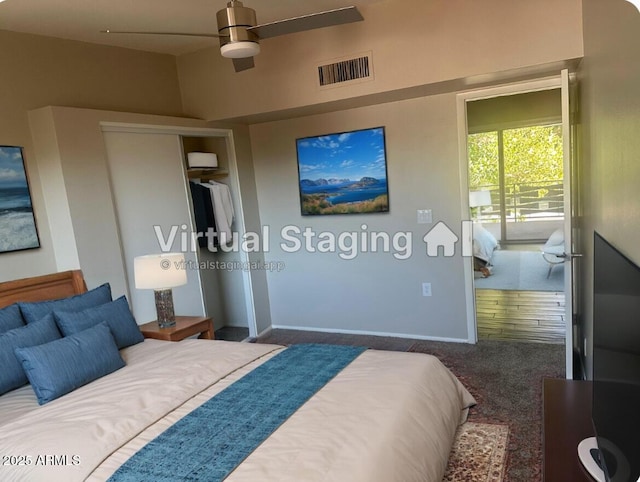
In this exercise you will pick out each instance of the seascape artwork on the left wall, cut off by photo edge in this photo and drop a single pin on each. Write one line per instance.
(17, 222)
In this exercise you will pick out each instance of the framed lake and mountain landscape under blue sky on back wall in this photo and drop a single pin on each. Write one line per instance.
(343, 173)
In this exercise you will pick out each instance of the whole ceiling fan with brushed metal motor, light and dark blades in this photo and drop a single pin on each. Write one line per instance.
(239, 33)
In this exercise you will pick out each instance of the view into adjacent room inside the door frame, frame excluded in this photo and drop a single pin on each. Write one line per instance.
(516, 183)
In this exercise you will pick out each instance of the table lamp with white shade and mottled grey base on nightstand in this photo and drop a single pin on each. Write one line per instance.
(161, 272)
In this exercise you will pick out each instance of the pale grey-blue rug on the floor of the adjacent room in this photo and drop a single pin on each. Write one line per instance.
(521, 270)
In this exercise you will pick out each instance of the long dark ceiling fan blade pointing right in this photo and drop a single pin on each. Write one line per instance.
(308, 22)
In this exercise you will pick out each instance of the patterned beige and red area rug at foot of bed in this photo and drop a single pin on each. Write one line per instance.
(478, 453)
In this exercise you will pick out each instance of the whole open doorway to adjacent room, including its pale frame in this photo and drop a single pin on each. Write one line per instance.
(517, 173)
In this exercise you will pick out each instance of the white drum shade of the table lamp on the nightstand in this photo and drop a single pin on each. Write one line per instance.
(159, 271)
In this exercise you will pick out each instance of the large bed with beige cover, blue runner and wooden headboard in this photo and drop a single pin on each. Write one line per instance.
(386, 416)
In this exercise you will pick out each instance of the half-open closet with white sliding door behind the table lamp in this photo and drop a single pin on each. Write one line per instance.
(150, 179)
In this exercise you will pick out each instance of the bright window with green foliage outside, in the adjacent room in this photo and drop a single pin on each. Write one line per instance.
(523, 169)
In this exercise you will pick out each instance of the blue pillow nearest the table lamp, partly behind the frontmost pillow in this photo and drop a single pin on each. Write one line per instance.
(117, 314)
